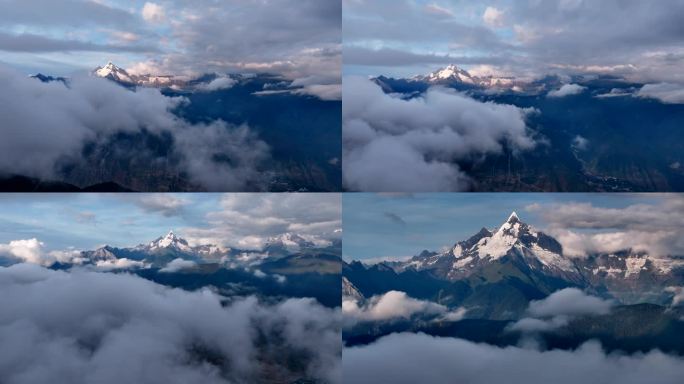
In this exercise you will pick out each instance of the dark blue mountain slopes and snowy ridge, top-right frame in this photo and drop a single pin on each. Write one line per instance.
(606, 114)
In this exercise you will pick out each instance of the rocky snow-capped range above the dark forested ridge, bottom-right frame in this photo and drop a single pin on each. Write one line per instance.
(498, 272)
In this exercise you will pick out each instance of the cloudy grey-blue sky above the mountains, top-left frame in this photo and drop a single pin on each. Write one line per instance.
(297, 38)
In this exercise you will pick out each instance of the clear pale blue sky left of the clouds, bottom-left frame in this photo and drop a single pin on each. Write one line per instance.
(85, 221)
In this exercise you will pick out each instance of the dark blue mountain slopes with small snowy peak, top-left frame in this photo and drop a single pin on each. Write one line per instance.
(301, 131)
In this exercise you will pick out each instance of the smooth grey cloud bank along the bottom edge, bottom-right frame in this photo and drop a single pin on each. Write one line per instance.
(418, 358)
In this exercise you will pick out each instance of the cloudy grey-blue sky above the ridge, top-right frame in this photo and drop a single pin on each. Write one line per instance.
(631, 38)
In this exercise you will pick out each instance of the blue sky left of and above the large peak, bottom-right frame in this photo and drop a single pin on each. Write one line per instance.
(378, 226)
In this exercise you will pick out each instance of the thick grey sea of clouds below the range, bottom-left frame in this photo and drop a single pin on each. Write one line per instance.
(83, 327)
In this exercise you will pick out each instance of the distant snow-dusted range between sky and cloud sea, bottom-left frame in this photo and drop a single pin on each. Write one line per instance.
(289, 265)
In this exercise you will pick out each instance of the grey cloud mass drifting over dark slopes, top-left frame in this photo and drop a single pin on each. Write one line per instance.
(50, 123)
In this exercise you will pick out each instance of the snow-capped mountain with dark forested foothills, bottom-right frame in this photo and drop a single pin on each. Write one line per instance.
(492, 278)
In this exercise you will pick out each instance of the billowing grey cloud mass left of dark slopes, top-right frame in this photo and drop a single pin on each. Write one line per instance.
(392, 144)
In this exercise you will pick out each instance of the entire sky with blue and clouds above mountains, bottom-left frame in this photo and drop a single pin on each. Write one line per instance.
(237, 220)
